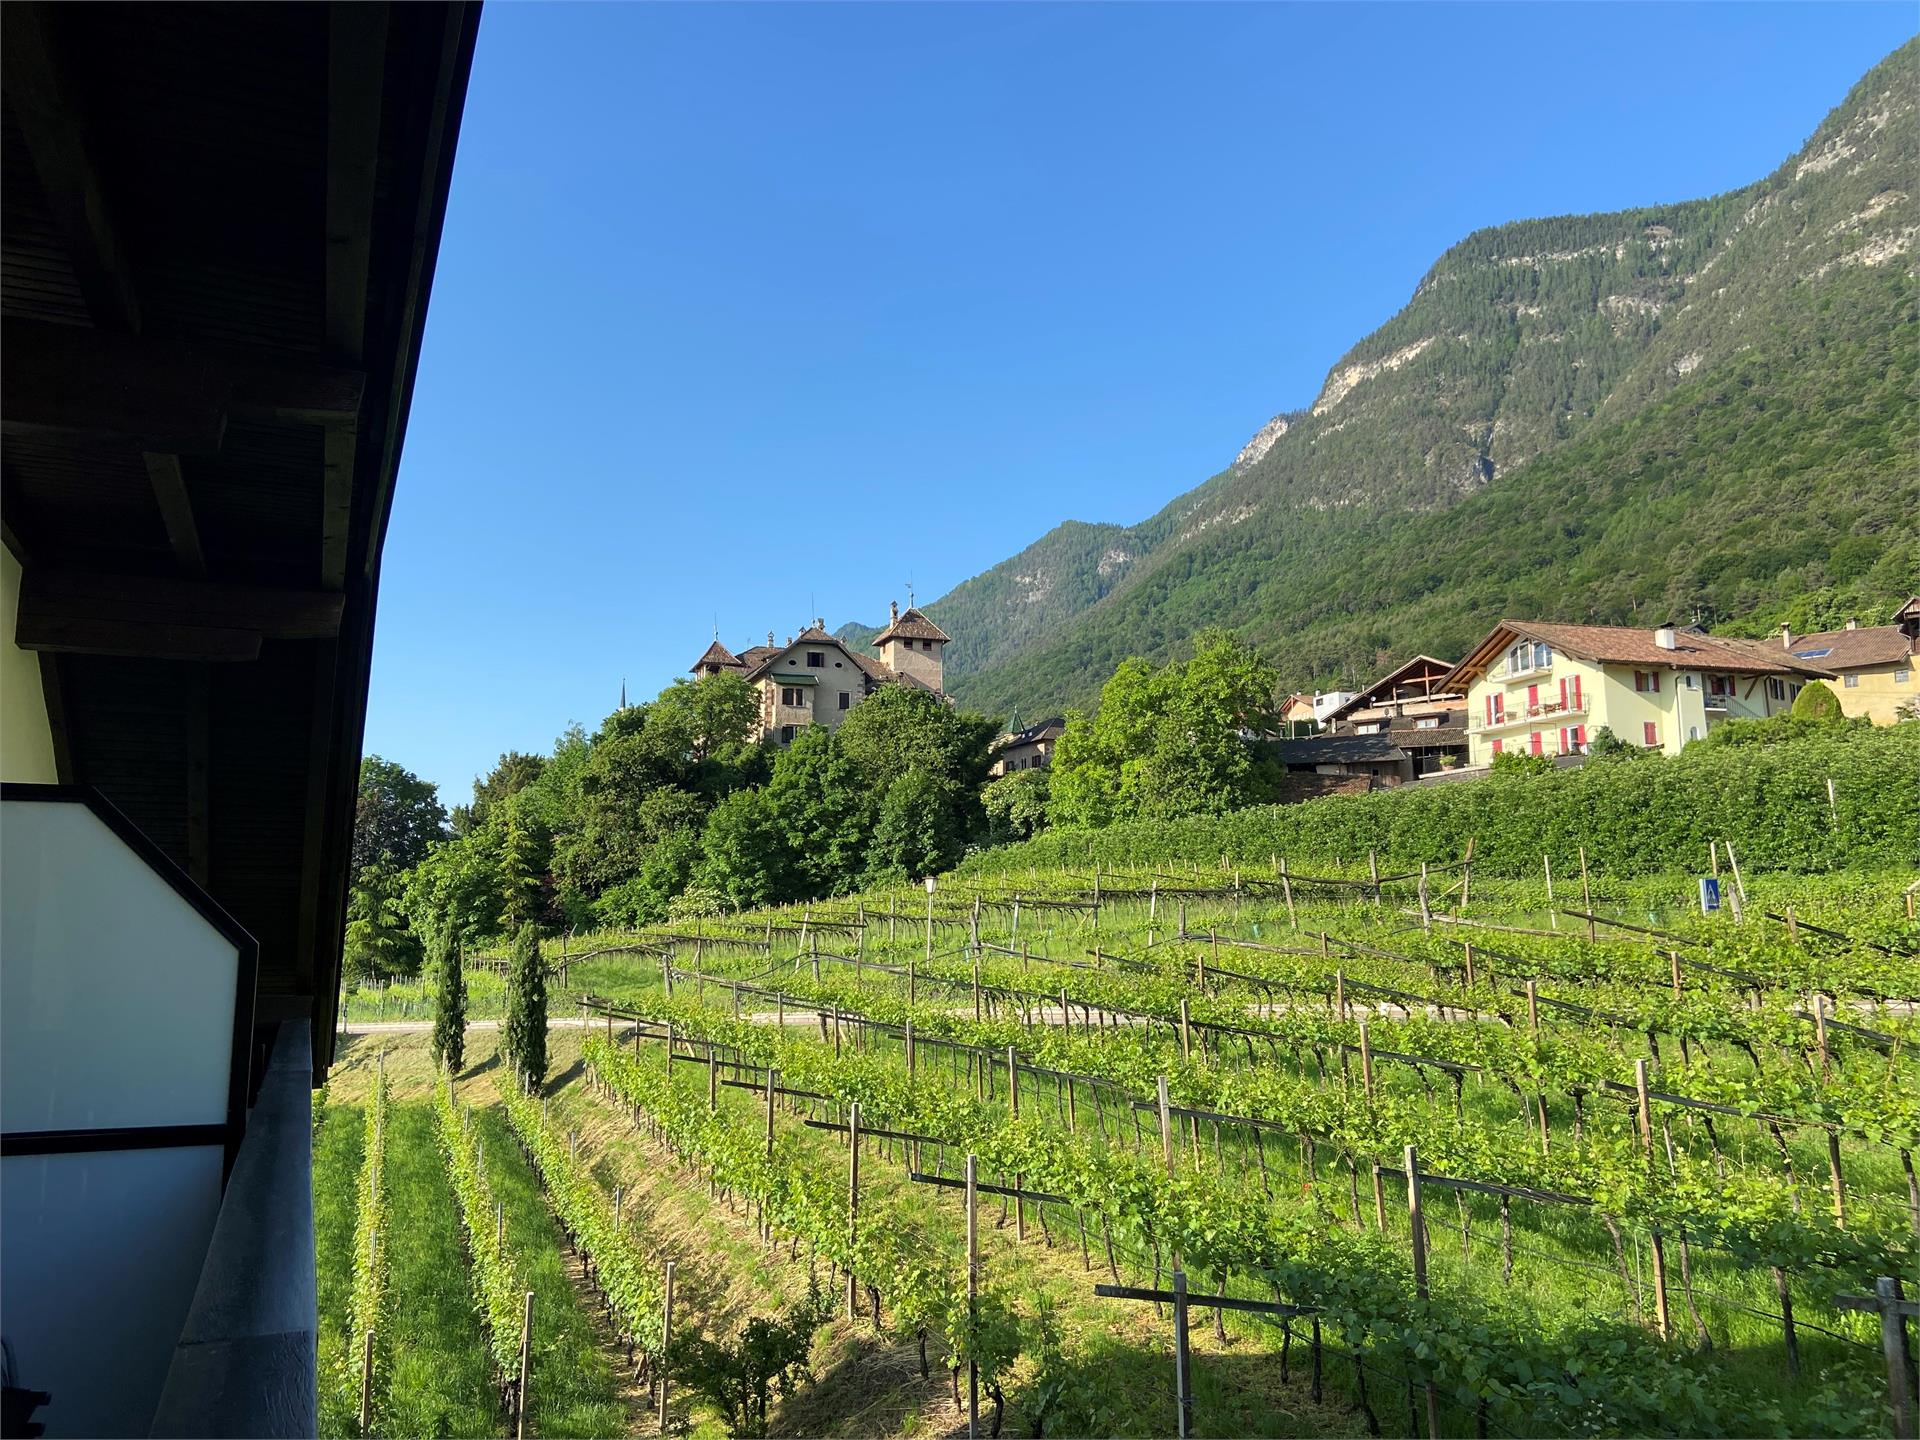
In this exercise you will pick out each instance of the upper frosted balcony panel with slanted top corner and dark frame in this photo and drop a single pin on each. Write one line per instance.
(118, 997)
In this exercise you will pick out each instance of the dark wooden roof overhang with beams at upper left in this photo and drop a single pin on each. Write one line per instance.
(218, 239)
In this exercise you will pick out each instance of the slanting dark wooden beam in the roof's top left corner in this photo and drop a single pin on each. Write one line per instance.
(57, 137)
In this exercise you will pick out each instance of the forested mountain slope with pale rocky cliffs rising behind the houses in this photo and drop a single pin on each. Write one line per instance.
(1704, 410)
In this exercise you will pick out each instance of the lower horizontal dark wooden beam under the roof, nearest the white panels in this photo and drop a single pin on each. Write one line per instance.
(166, 617)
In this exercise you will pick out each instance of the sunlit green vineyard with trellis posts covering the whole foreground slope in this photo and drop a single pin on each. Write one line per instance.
(1335, 1147)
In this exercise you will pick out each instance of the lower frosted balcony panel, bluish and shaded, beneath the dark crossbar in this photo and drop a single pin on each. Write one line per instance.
(101, 1257)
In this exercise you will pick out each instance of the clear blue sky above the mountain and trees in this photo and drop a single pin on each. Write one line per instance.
(752, 314)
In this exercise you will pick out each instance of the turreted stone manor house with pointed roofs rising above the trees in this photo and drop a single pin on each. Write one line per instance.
(815, 679)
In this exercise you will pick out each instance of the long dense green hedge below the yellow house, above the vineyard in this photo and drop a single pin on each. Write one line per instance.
(1637, 815)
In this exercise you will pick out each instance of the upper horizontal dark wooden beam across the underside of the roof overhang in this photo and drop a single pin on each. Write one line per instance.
(158, 396)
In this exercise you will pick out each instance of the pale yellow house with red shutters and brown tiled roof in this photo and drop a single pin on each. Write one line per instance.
(1547, 688)
